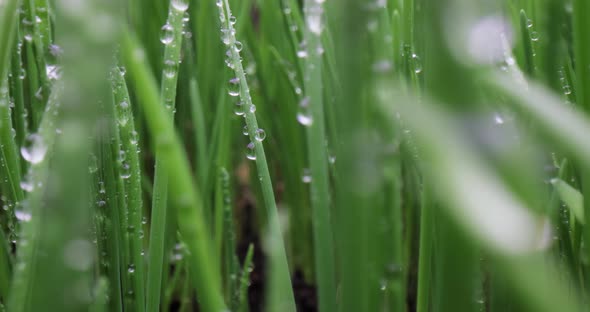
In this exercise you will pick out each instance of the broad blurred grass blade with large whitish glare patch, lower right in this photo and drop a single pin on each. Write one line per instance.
(485, 210)
